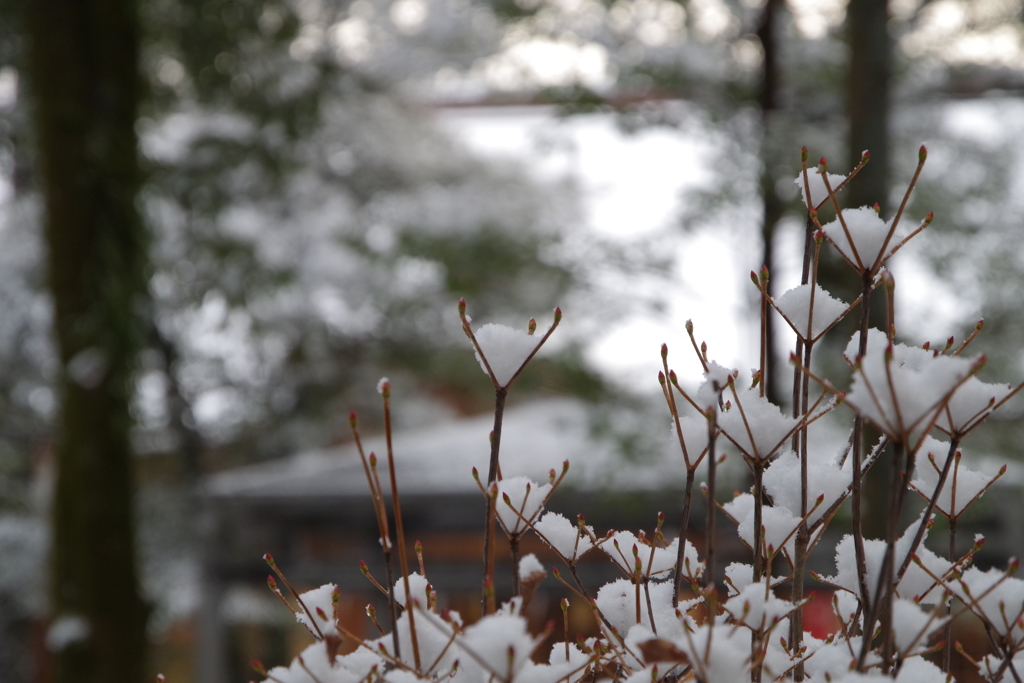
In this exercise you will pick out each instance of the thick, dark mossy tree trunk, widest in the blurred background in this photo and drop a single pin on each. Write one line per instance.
(86, 86)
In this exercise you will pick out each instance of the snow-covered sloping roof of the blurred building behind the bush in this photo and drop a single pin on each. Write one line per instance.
(536, 438)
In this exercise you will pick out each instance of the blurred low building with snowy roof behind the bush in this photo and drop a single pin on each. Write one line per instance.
(313, 513)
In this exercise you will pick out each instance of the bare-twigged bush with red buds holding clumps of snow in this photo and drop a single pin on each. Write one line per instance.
(672, 617)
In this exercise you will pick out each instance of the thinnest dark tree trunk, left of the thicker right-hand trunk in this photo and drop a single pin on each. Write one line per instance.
(773, 206)
